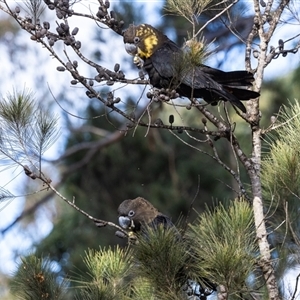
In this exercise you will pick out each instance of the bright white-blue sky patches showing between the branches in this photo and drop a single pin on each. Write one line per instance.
(16, 240)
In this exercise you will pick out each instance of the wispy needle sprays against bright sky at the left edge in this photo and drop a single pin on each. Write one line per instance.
(26, 130)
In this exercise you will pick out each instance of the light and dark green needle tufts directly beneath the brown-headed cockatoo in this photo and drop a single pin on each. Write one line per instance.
(154, 269)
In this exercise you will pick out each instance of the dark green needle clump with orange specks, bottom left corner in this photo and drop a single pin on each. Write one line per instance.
(35, 280)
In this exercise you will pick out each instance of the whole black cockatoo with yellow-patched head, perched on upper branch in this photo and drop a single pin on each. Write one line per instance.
(168, 68)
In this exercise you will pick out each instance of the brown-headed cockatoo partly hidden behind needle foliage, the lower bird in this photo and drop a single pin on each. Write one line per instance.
(139, 214)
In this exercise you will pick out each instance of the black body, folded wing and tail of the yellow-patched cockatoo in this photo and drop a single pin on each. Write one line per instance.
(167, 68)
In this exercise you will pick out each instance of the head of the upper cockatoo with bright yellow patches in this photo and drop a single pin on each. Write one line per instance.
(142, 40)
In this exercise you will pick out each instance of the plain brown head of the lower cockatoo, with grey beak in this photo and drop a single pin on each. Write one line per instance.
(135, 212)
